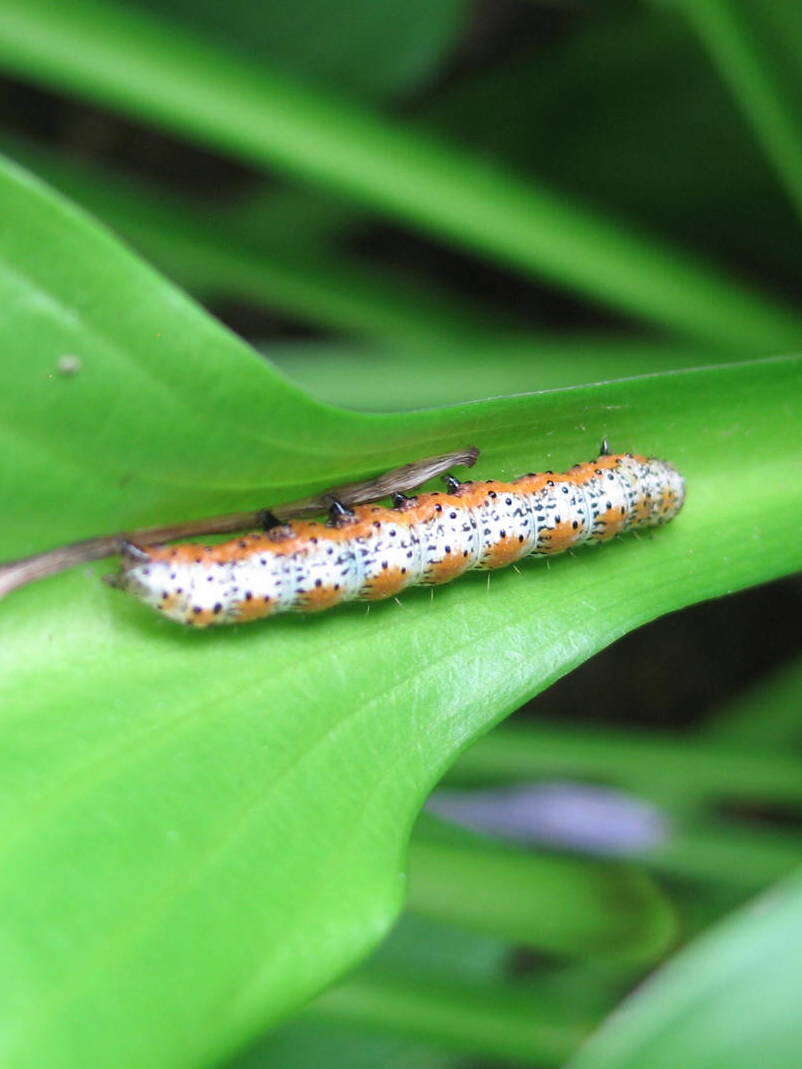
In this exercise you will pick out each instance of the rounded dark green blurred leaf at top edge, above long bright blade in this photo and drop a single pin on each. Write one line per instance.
(371, 48)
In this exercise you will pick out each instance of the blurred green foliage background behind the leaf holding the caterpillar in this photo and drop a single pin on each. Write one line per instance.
(629, 204)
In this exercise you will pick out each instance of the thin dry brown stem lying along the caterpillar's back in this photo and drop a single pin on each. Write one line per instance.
(19, 574)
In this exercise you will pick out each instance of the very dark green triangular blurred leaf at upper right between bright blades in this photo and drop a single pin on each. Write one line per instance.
(626, 112)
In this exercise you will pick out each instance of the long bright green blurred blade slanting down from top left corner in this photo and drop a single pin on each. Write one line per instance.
(147, 69)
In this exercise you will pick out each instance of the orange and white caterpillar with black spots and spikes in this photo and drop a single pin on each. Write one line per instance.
(372, 552)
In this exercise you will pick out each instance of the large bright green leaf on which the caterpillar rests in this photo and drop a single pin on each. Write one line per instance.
(203, 830)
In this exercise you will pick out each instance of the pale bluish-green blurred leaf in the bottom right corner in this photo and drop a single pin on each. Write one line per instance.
(730, 1000)
